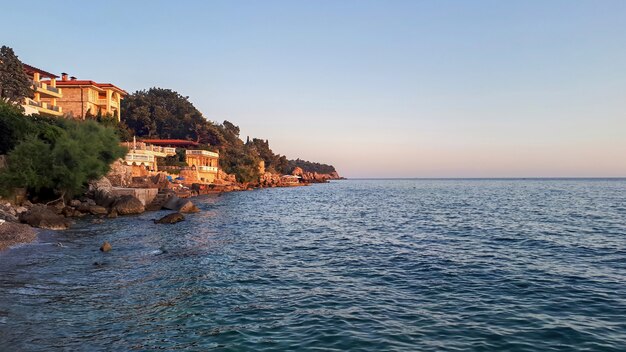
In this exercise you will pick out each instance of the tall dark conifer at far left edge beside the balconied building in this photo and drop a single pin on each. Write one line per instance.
(14, 83)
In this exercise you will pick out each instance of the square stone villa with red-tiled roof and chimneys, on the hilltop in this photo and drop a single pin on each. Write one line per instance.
(82, 98)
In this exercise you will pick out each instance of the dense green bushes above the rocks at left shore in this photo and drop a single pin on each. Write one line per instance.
(54, 157)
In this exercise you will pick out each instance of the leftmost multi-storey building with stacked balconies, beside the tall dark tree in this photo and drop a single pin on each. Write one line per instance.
(46, 94)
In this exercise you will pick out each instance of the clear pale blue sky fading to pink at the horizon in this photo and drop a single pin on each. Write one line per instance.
(383, 88)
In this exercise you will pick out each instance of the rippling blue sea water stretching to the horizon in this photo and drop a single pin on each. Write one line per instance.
(361, 265)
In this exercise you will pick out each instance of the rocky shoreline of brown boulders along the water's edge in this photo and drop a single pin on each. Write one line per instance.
(19, 220)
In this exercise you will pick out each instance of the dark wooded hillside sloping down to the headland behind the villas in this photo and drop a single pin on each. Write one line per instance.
(164, 113)
